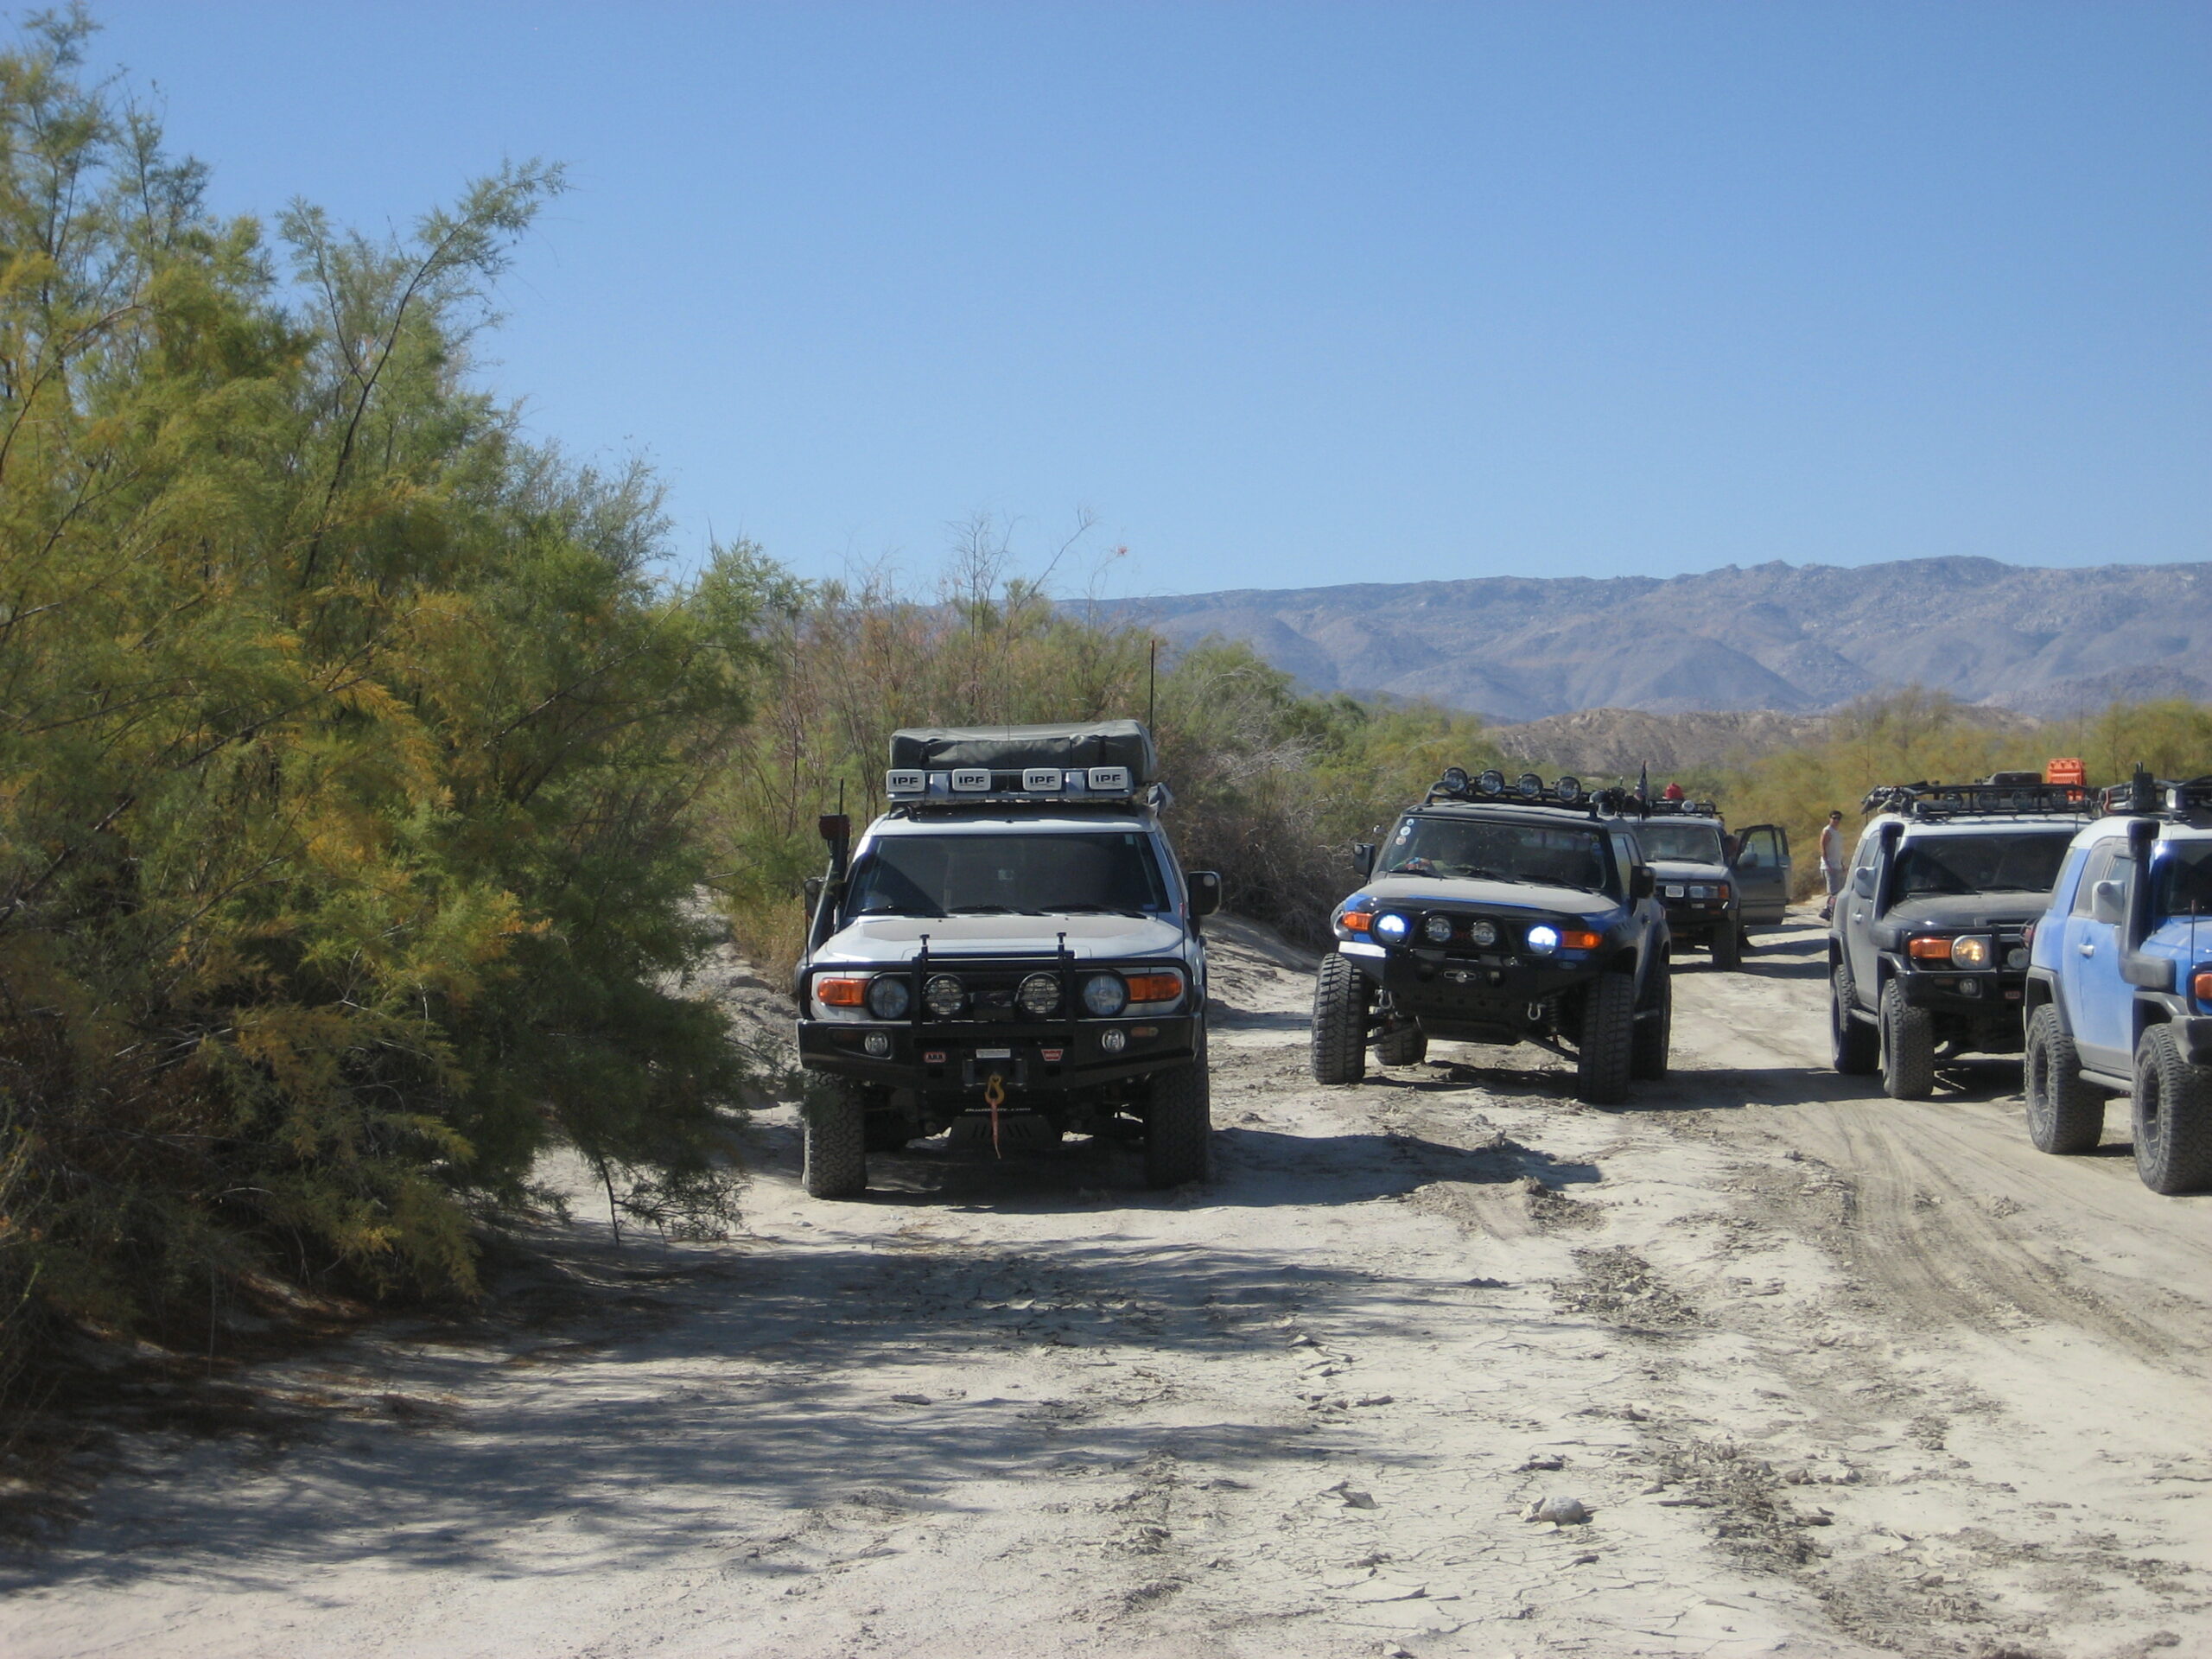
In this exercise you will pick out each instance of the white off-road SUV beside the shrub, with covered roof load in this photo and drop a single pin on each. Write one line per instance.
(1014, 939)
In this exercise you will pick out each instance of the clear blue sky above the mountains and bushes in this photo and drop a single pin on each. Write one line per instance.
(1295, 295)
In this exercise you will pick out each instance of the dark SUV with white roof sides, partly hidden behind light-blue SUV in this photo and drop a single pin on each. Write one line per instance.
(1928, 948)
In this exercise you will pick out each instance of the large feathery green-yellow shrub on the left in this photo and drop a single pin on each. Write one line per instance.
(346, 742)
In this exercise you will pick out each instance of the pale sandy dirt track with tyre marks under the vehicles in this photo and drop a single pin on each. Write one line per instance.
(1830, 1375)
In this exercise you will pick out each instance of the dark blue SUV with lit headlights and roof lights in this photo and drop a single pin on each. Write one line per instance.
(1503, 915)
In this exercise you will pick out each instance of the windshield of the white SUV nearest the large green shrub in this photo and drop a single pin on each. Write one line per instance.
(1019, 875)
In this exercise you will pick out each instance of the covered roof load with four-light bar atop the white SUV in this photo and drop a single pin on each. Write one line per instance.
(1100, 762)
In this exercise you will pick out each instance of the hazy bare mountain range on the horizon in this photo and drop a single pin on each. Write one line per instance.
(1771, 638)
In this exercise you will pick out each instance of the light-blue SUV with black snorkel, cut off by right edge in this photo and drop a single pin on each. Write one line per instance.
(2120, 985)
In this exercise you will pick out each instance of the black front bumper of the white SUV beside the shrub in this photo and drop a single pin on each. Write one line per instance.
(961, 1056)
